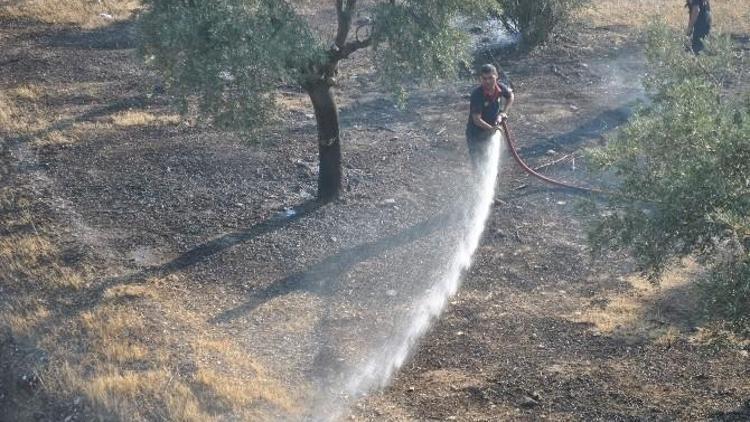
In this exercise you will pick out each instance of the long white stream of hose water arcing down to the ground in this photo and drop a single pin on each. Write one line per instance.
(377, 367)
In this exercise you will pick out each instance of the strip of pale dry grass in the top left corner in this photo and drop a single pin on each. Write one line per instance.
(83, 13)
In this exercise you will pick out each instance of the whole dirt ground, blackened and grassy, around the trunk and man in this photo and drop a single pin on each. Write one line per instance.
(226, 273)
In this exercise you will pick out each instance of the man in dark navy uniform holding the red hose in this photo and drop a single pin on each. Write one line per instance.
(489, 106)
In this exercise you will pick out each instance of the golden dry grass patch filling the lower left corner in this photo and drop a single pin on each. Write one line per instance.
(121, 355)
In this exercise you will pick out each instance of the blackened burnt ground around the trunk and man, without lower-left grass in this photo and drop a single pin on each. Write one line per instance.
(521, 340)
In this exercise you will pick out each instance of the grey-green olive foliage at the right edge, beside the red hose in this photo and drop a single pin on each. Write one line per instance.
(684, 167)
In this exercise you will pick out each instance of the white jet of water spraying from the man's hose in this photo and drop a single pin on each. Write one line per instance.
(378, 369)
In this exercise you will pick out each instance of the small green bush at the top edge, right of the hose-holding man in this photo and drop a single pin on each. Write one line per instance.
(536, 20)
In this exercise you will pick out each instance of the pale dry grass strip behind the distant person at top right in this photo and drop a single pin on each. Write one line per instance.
(728, 16)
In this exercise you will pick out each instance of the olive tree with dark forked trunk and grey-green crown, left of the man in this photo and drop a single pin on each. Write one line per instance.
(233, 55)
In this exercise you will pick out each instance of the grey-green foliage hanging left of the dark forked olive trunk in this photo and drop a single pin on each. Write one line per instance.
(231, 54)
